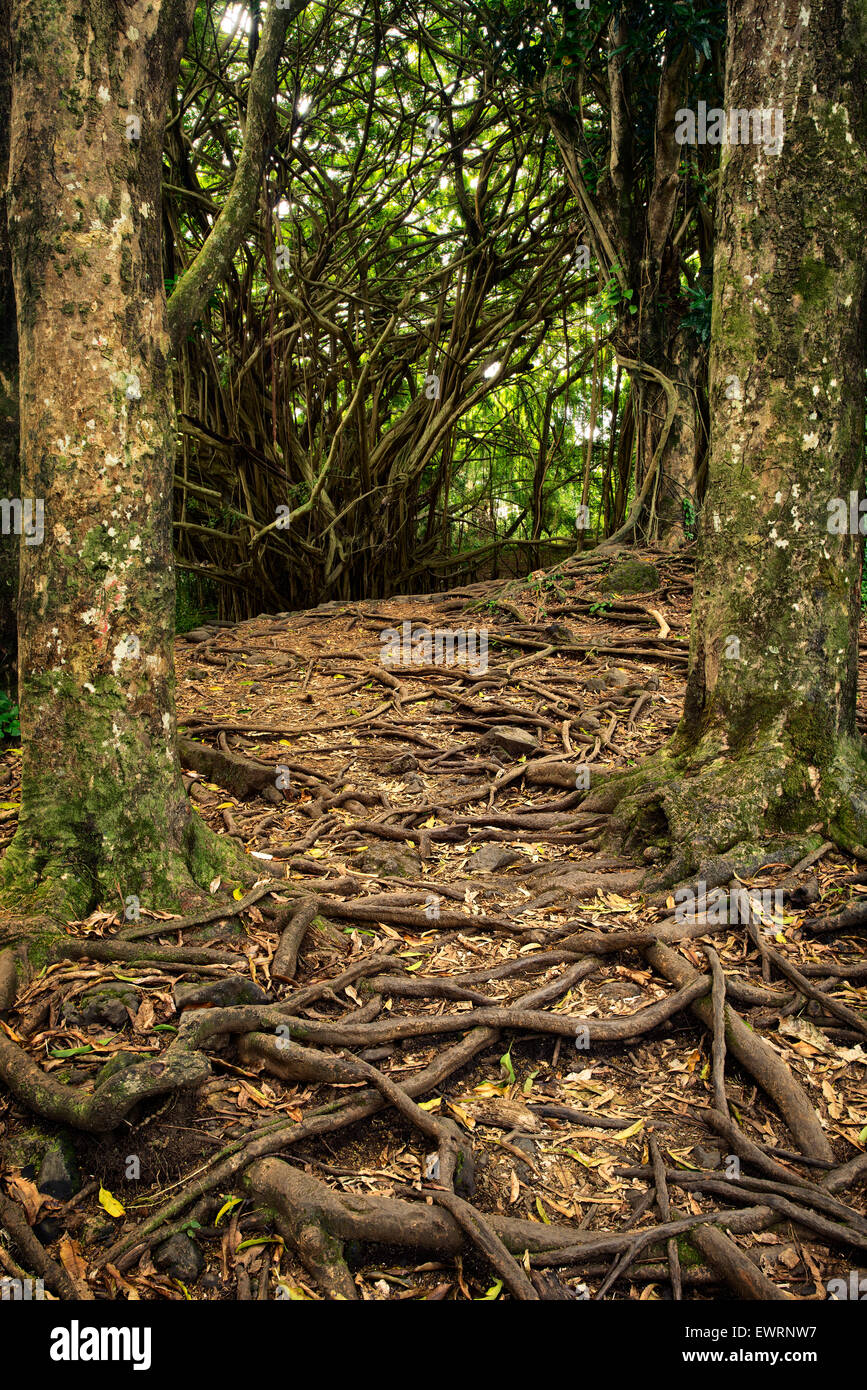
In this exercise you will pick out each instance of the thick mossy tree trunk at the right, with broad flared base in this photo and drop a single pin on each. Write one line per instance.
(768, 743)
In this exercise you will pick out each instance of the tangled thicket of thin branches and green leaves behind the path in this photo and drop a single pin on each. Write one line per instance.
(416, 350)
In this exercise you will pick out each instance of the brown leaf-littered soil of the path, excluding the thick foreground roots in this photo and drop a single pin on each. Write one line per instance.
(395, 760)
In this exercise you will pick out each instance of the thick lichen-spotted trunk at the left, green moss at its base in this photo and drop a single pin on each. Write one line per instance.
(104, 812)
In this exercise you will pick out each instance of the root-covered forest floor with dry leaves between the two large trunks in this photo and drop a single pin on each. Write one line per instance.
(436, 867)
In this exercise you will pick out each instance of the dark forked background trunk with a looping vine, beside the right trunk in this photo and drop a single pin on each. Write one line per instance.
(633, 234)
